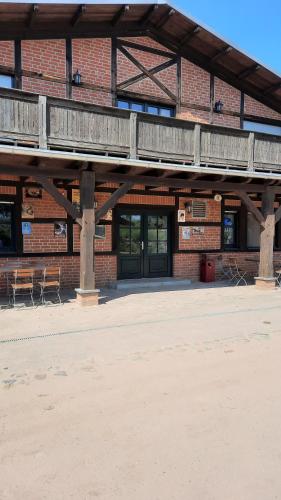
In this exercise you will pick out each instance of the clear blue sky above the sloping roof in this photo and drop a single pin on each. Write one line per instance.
(253, 25)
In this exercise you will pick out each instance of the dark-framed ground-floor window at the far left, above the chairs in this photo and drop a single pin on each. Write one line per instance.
(7, 227)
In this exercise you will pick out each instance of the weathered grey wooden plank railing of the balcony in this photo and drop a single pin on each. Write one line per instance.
(59, 123)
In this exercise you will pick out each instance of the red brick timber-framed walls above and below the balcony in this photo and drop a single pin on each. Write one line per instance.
(152, 231)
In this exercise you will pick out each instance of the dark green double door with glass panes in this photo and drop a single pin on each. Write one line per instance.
(143, 243)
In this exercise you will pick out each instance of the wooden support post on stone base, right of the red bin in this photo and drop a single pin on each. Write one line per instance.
(266, 274)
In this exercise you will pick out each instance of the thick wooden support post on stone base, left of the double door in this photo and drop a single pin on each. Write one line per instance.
(87, 293)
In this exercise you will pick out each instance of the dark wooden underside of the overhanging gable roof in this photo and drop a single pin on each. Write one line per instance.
(163, 23)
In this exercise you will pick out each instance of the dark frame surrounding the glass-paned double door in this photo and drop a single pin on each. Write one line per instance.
(168, 210)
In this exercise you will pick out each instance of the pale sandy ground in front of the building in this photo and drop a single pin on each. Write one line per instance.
(167, 395)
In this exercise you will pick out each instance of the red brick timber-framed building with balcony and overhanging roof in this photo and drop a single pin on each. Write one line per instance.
(137, 59)
